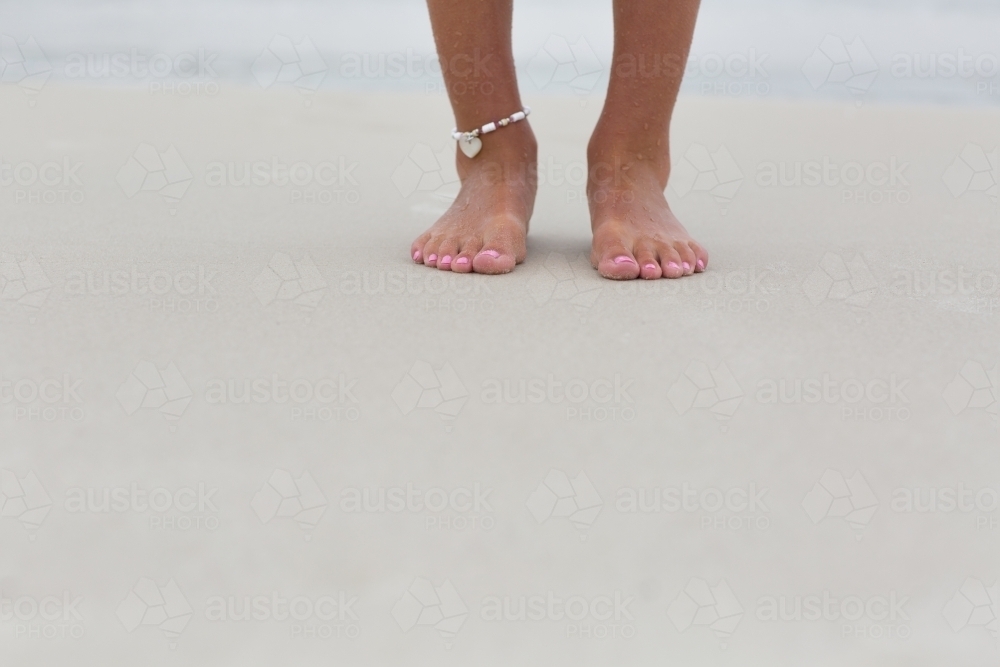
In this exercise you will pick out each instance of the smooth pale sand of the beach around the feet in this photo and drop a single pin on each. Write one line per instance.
(765, 310)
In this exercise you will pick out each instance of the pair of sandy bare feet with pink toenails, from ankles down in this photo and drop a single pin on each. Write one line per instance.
(635, 234)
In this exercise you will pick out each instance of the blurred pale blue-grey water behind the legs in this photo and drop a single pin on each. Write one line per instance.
(561, 46)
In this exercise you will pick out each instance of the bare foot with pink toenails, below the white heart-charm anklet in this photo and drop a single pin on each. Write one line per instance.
(484, 230)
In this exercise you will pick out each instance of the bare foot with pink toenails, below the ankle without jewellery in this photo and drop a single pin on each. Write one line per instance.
(635, 233)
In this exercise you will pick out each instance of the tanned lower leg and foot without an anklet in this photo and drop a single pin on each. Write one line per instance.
(635, 233)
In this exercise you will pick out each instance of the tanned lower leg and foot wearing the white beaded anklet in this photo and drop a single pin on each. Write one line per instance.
(485, 229)
